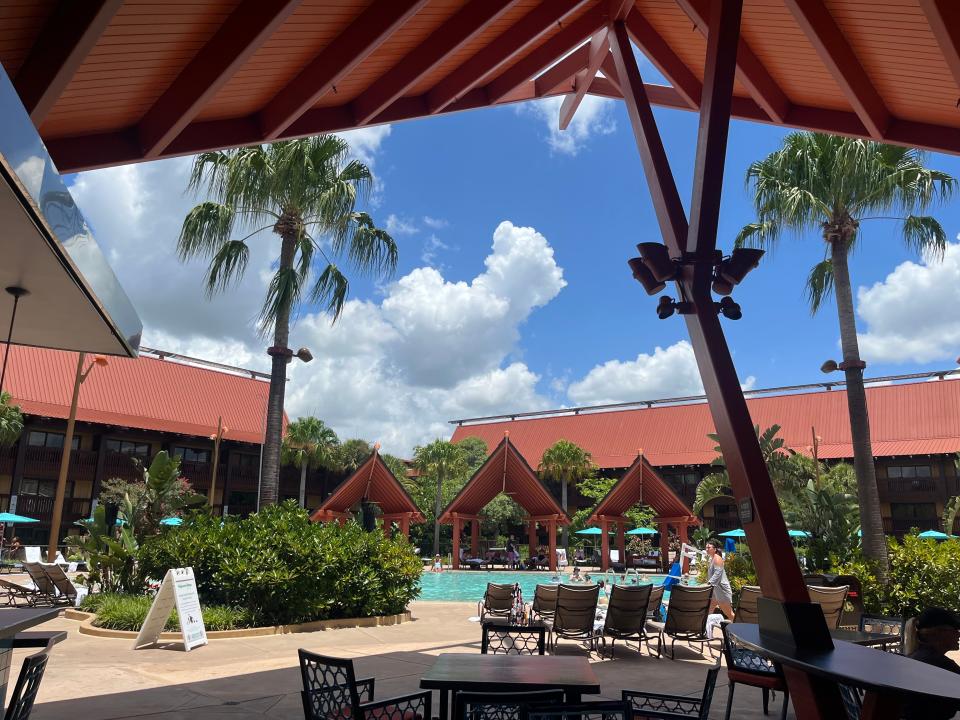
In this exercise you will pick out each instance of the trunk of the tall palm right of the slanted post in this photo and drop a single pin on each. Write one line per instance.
(871, 522)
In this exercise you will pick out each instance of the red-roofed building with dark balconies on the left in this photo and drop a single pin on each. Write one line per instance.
(131, 408)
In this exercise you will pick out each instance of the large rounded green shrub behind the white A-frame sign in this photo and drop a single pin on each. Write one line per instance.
(283, 569)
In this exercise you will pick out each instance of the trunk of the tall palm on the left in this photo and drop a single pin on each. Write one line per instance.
(270, 471)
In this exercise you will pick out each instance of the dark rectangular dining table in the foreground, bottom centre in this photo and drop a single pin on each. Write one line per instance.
(509, 673)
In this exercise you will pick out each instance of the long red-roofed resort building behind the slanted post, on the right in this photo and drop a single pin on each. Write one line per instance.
(914, 423)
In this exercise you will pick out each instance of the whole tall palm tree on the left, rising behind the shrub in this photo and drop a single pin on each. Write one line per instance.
(305, 191)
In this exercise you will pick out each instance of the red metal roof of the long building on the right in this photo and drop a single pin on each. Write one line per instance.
(909, 419)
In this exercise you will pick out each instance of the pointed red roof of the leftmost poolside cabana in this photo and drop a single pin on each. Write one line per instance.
(373, 481)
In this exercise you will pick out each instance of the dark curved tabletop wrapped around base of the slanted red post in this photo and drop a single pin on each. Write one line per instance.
(886, 677)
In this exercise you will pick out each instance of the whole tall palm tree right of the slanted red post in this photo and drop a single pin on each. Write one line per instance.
(829, 185)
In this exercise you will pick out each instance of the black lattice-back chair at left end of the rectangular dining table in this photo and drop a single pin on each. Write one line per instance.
(331, 691)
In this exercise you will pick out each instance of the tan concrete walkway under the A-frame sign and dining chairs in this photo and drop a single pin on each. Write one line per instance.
(98, 679)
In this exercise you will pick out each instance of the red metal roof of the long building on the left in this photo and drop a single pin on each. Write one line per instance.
(142, 393)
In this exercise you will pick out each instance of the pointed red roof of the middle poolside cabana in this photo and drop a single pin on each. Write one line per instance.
(505, 471)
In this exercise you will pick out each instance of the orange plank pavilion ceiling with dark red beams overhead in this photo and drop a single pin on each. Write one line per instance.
(110, 82)
